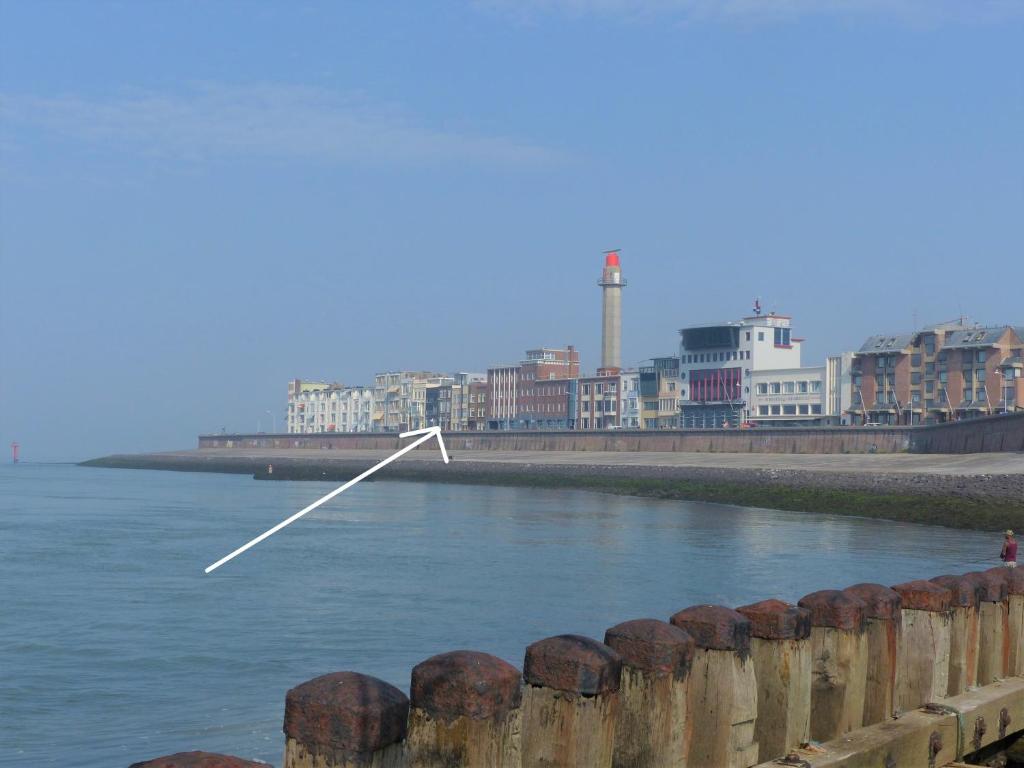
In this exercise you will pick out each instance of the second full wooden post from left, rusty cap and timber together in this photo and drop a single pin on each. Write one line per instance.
(464, 712)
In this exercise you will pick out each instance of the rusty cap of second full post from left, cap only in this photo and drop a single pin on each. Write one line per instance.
(465, 684)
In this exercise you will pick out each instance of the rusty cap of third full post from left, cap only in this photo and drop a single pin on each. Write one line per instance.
(574, 664)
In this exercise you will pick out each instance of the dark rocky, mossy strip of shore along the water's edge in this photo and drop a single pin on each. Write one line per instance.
(985, 502)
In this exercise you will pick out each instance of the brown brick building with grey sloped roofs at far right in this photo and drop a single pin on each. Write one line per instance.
(944, 373)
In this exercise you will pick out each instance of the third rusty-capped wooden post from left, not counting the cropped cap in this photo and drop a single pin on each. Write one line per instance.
(571, 703)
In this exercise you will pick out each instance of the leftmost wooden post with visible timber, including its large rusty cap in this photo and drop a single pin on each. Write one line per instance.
(346, 720)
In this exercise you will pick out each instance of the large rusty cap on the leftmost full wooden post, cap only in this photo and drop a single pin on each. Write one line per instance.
(347, 712)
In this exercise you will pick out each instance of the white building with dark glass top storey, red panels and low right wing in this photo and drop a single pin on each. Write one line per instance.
(748, 370)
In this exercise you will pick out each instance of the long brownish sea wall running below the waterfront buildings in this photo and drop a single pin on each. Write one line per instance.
(995, 434)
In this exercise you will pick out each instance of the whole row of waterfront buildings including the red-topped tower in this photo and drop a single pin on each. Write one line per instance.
(742, 373)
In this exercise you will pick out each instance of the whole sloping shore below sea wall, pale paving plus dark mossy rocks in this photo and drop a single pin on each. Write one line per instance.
(955, 492)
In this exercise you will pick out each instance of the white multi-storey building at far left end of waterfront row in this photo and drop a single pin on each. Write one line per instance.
(319, 407)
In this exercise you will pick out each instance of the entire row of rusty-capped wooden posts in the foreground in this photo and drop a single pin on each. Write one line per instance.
(923, 673)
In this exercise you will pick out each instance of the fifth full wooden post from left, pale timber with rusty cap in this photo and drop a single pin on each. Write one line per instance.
(723, 702)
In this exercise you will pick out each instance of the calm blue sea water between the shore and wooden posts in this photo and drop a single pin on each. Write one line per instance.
(116, 648)
